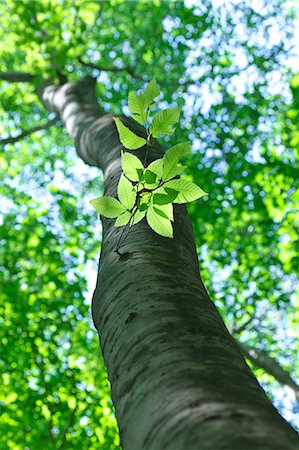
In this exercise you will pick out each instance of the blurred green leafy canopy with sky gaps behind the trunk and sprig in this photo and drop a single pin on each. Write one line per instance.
(244, 145)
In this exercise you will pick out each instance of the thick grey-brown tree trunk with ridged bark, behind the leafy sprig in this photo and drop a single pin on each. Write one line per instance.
(179, 380)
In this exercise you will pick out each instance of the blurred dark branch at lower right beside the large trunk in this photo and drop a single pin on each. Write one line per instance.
(261, 359)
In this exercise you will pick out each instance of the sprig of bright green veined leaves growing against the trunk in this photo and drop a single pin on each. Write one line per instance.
(155, 185)
